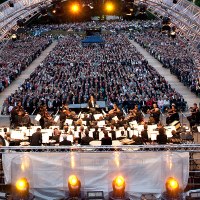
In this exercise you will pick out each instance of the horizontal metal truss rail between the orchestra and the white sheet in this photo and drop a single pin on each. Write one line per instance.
(125, 148)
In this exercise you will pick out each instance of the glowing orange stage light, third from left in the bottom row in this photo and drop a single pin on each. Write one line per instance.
(118, 185)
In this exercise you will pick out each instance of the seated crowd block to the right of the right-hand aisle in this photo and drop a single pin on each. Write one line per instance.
(173, 53)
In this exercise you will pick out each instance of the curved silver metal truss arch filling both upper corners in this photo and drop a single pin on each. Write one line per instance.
(184, 15)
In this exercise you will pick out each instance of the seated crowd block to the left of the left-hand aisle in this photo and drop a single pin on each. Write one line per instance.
(15, 56)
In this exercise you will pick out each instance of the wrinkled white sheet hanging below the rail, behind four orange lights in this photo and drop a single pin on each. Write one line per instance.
(144, 172)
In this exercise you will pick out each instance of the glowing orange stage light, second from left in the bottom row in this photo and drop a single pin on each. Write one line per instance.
(74, 186)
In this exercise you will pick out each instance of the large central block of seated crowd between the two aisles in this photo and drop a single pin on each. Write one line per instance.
(116, 72)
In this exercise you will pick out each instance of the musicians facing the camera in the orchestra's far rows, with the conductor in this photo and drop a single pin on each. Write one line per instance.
(20, 118)
